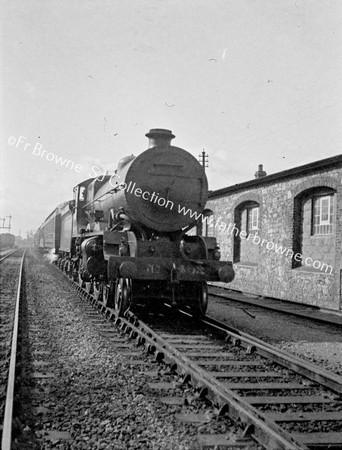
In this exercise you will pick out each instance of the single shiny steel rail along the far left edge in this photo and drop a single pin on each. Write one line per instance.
(6, 440)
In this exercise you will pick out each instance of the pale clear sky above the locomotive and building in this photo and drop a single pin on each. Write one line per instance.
(249, 81)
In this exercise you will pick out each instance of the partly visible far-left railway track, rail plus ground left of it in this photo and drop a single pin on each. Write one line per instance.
(11, 285)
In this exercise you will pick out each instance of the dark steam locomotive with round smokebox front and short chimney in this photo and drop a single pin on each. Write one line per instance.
(128, 238)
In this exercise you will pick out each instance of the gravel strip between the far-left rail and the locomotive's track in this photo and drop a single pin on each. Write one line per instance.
(96, 397)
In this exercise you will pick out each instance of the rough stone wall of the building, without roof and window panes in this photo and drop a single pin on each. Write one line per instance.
(281, 230)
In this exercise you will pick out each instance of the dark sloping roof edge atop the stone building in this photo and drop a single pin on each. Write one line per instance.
(329, 163)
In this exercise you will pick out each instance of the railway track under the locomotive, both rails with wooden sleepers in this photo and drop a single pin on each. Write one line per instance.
(280, 401)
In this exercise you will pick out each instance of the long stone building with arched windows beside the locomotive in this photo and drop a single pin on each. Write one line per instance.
(283, 233)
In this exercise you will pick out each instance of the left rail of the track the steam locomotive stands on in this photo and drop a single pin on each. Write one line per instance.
(256, 425)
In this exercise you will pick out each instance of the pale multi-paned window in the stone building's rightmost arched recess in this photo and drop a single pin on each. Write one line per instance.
(322, 214)
